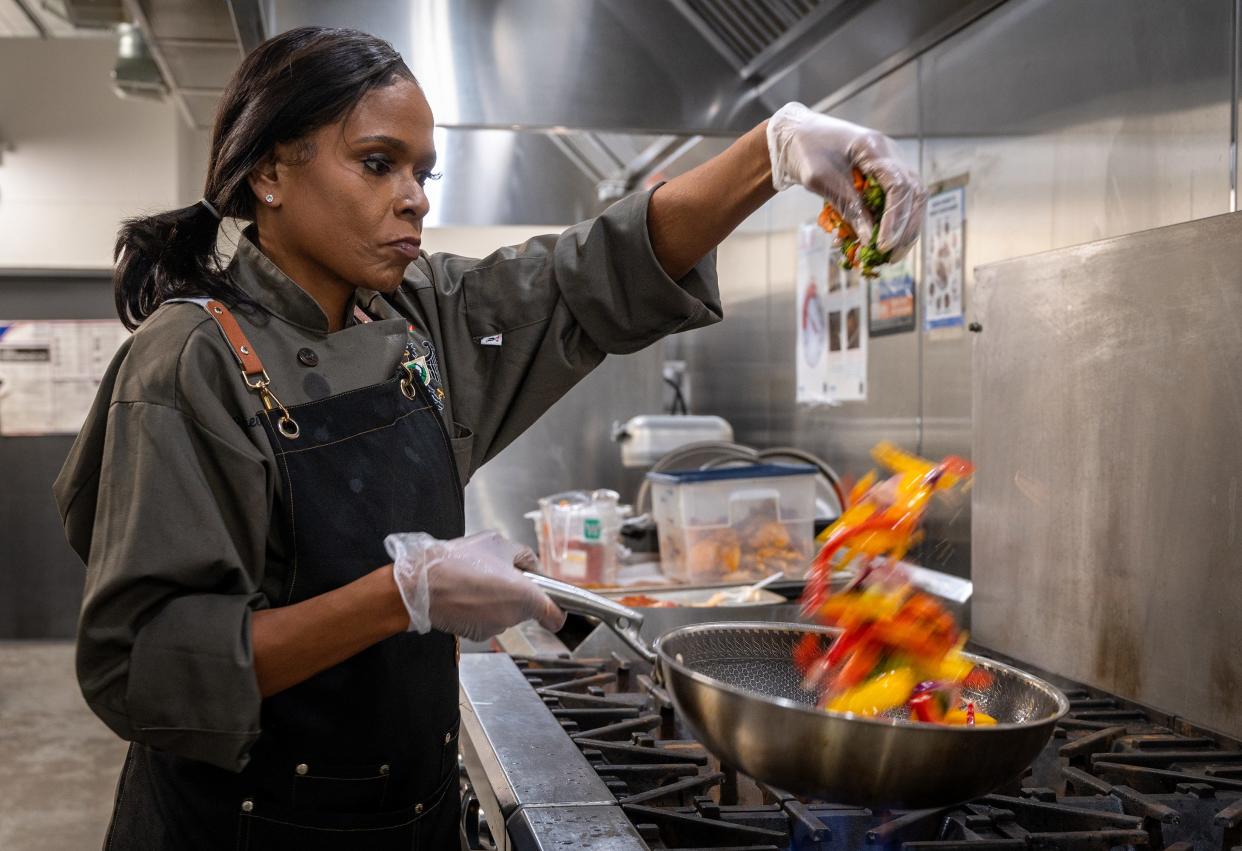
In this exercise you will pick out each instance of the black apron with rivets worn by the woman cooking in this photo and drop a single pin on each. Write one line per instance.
(362, 756)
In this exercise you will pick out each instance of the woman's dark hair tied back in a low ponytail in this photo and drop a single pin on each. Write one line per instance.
(286, 89)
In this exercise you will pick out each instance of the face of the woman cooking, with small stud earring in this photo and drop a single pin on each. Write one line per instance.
(351, 214)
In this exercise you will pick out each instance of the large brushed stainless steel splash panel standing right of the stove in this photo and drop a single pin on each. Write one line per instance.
(1107, 413)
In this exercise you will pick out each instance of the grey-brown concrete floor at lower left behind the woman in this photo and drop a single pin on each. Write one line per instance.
(59, 763)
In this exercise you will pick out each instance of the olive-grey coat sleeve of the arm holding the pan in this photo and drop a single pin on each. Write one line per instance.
(178, 539)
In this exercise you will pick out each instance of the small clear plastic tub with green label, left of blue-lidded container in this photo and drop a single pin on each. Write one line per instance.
(579, 536)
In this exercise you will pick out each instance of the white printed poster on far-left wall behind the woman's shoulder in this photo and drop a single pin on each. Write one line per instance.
(52, 371)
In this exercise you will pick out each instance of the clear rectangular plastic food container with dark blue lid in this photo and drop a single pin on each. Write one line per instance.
(737, 524)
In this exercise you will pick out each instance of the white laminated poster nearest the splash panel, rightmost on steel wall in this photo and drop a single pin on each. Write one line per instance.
(945, 259)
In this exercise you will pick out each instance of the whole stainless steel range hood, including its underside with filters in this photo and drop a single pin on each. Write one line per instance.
(582, 100)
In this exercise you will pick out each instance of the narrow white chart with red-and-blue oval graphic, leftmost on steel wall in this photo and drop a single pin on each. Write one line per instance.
(812, 370)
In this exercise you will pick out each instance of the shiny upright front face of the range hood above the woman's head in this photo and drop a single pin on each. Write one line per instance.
(632, 66)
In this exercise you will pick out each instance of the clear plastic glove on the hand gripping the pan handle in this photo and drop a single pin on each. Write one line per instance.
(469, 587)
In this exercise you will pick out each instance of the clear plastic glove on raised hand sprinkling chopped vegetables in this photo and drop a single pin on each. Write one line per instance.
(820, 153)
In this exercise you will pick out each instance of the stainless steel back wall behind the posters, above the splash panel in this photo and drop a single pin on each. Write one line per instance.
(1071, 121)
